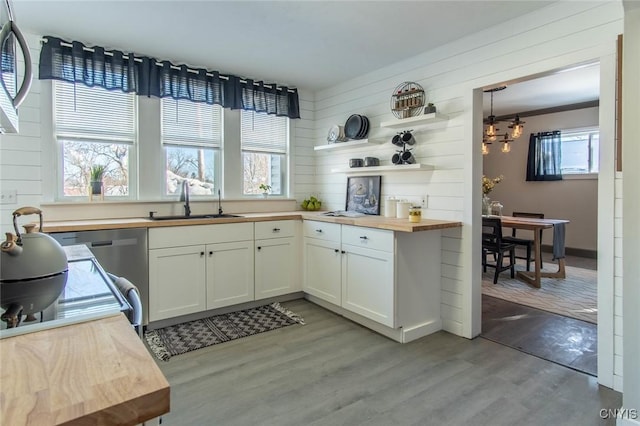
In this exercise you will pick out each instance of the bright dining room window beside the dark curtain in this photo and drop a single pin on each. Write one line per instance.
(580, 150)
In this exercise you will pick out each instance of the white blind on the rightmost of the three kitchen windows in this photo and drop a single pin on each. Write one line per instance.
(263, 132)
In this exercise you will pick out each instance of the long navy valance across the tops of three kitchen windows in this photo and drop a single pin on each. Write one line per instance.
(114, 70)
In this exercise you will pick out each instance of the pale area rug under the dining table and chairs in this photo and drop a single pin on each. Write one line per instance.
(574, 296)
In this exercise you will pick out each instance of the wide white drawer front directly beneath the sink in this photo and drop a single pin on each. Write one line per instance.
(177, 236)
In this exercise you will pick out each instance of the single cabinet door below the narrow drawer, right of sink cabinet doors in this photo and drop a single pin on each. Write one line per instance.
(276, 265)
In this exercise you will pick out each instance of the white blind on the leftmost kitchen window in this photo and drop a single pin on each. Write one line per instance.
(83, 112)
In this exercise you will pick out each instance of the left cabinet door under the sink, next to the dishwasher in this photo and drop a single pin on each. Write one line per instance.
(176, 282)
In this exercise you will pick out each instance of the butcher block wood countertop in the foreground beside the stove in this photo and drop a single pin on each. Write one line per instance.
(94, 373)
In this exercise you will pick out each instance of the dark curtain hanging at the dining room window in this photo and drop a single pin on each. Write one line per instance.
(545, 156)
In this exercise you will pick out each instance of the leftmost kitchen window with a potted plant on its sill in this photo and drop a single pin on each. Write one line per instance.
(94, 126)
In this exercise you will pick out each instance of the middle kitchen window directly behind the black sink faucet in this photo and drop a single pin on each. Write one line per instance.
(191, 137)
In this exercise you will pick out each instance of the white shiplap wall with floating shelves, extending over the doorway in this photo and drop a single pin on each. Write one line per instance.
(562, 34)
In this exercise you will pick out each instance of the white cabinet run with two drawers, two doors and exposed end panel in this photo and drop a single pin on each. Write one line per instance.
(388, 281)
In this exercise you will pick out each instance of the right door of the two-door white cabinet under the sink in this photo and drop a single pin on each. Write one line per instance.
(229, 273)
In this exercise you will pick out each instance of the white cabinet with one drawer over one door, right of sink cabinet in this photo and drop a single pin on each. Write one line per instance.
(277, 259)
